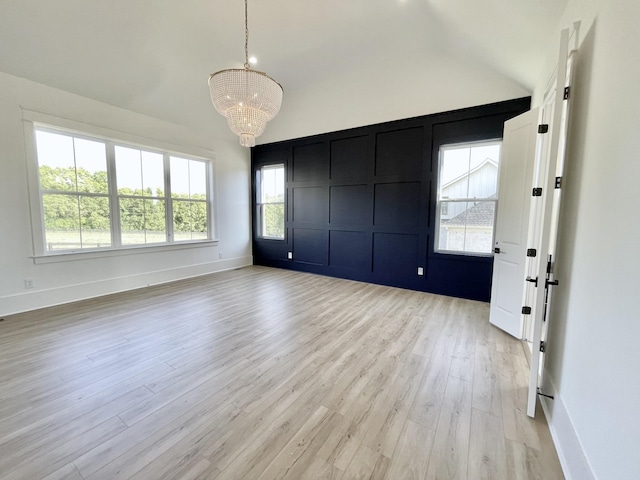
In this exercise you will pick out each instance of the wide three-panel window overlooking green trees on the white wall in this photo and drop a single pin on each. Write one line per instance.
(99, 194)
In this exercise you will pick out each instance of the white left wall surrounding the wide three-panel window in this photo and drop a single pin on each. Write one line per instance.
(72, 280)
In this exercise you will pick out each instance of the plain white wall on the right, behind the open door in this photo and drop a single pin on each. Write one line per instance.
(594, 360)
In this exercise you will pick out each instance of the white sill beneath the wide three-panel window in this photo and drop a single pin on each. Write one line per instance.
(116, 252)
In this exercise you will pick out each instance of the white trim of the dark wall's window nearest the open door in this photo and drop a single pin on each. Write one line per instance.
(439, 201)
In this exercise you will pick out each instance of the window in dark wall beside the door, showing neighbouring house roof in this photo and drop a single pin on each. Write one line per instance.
(467, 197)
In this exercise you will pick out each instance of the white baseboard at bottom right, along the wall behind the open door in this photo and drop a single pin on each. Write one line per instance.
(575, 464)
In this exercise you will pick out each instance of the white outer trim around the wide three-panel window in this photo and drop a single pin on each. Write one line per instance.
(33, 119)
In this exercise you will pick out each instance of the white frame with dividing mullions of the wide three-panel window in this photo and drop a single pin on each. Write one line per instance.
(33, 121)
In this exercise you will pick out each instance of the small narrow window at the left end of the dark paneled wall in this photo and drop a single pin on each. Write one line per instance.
(270, 201)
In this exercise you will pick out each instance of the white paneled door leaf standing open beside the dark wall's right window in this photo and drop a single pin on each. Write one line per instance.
(519, 149)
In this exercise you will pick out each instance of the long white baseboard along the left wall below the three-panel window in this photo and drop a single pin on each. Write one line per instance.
(24, 302)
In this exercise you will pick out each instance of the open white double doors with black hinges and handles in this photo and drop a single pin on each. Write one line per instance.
(527, 218)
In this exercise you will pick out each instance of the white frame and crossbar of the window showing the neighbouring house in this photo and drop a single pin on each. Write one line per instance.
(440, 201)
